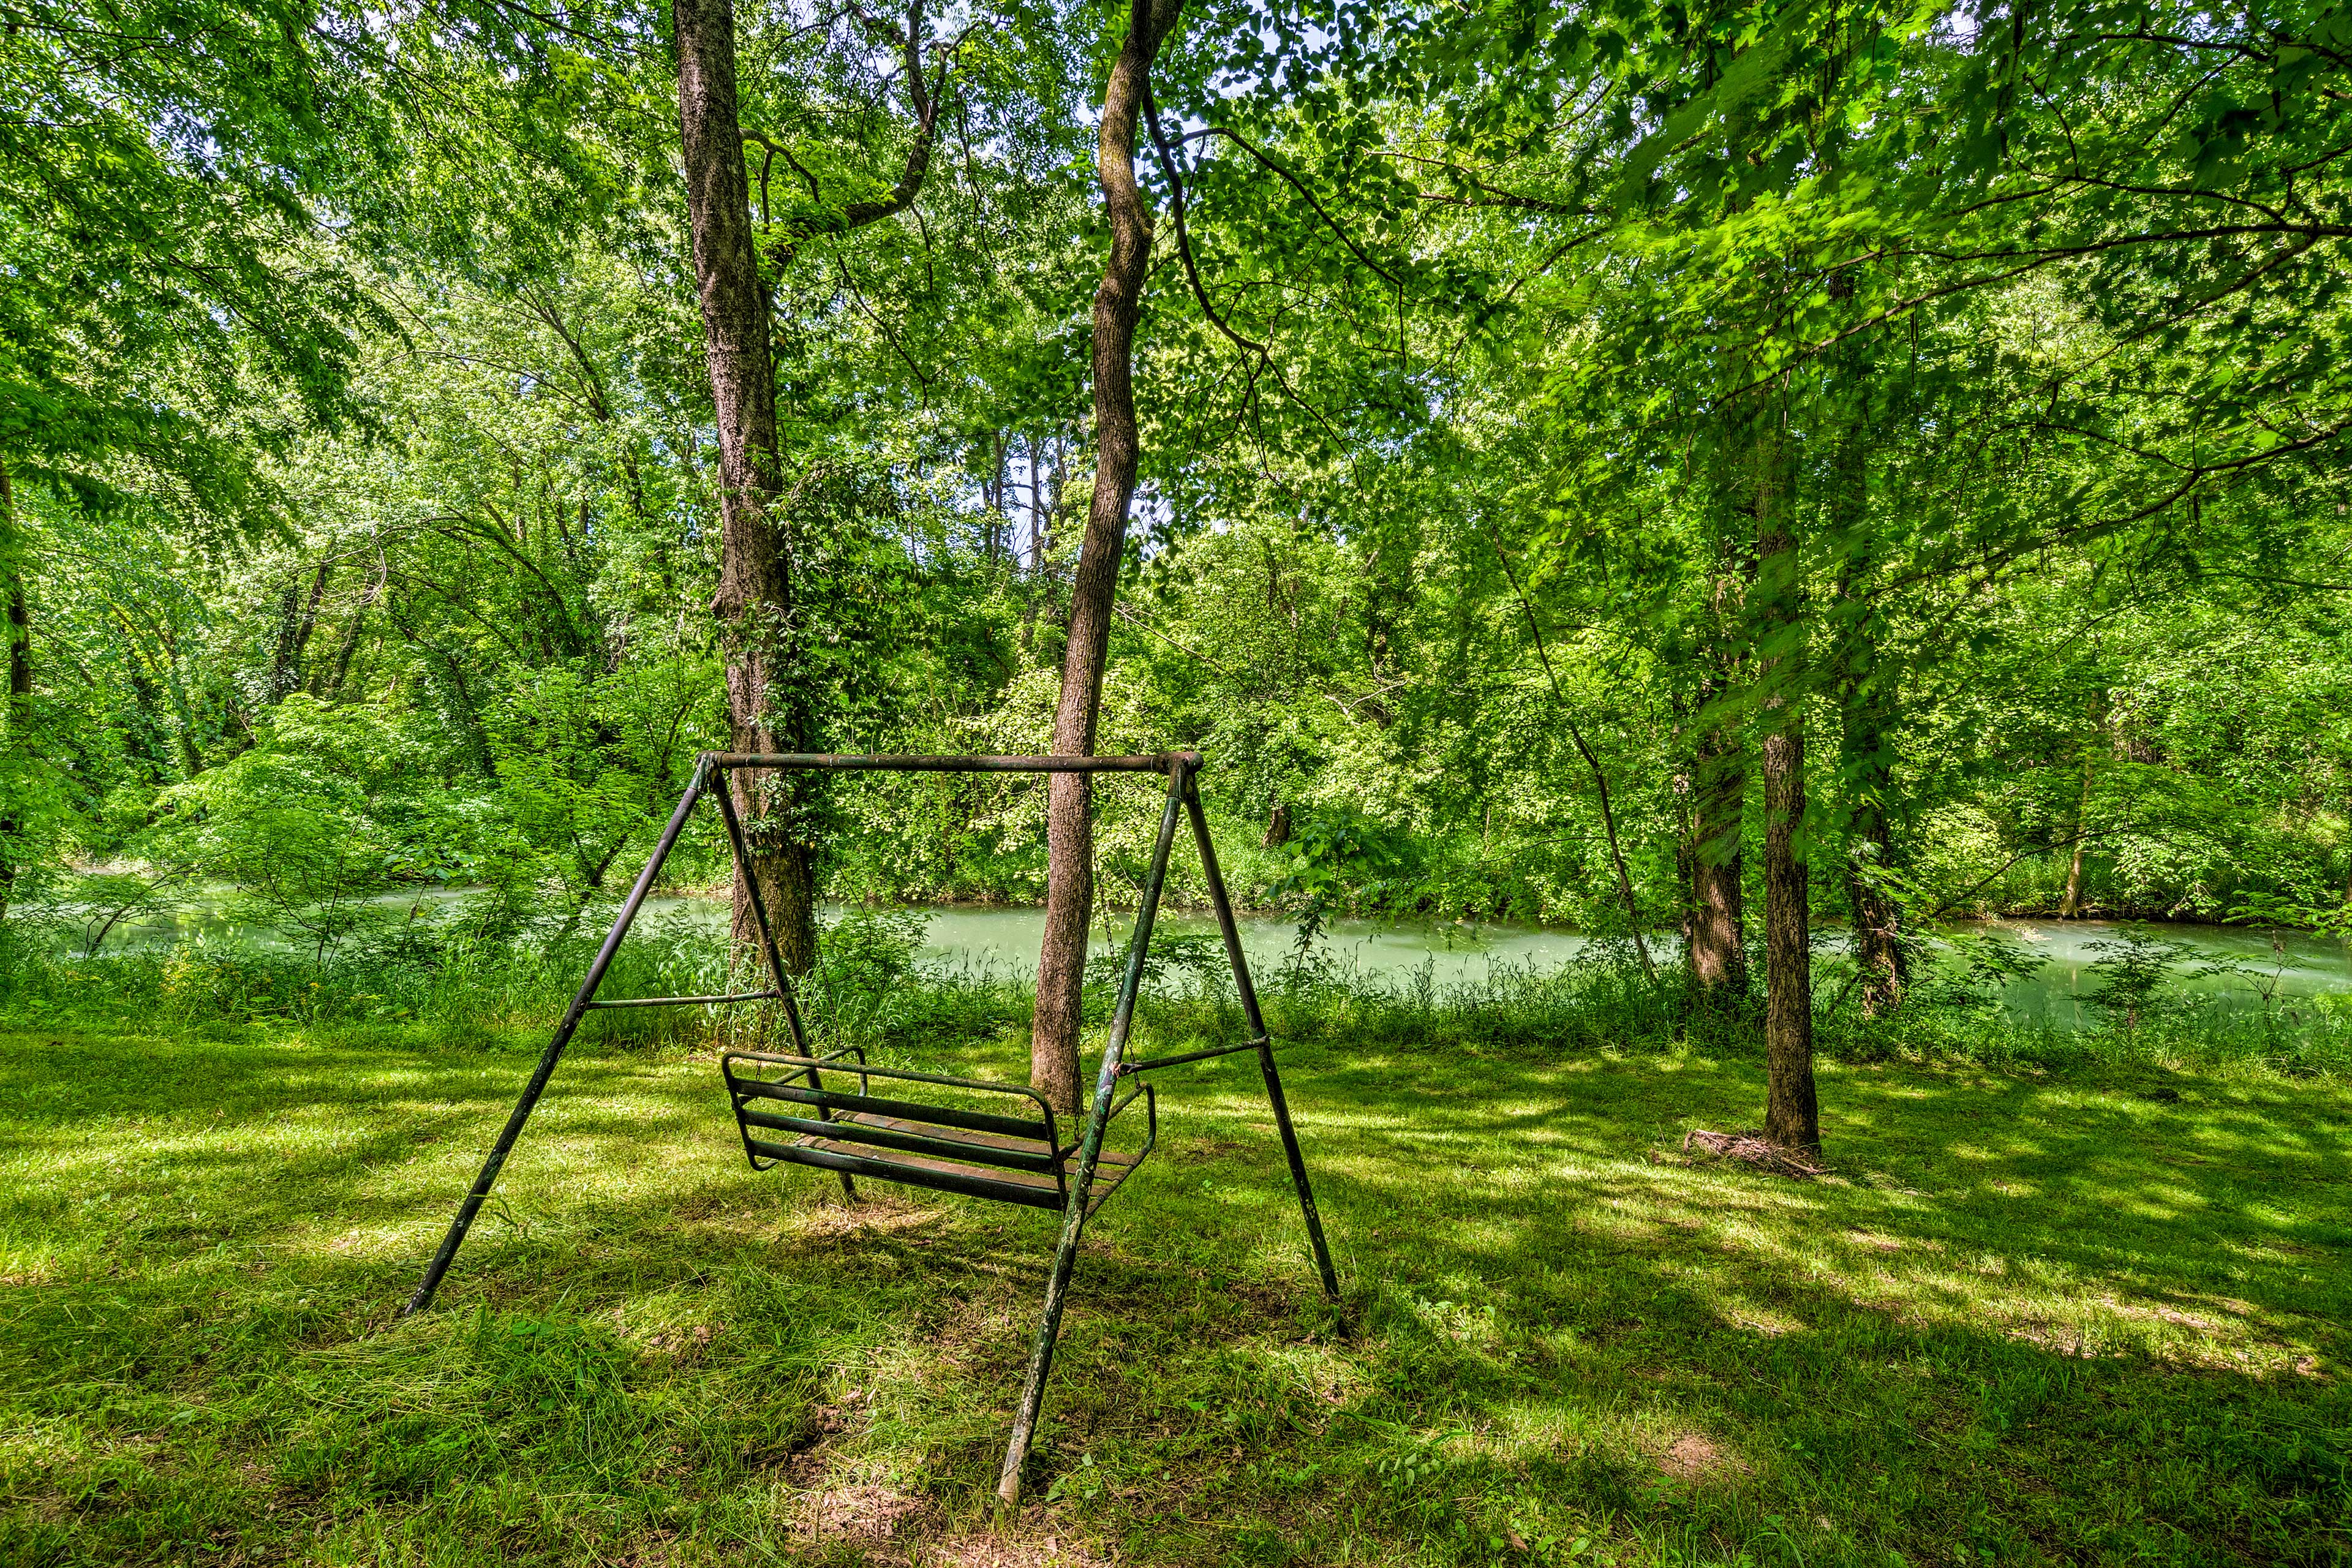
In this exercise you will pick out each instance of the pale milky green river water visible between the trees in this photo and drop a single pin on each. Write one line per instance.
(1003, 942)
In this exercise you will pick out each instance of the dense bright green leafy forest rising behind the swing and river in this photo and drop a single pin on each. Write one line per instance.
(1615, 464)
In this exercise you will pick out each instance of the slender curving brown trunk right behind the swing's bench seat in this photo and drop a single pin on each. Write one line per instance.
(1062, 963)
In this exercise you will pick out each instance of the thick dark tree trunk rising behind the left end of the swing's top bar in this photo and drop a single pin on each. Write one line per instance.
(756, 582)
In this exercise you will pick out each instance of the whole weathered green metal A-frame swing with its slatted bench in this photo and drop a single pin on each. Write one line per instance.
(789, 1113)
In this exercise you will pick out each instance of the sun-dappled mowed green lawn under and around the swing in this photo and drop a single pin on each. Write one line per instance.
(2024, 1322)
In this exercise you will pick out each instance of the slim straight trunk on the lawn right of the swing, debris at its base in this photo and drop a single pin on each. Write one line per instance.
(1791, 1108)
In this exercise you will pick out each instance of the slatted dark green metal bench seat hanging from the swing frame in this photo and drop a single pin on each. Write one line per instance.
(799, 1118)
